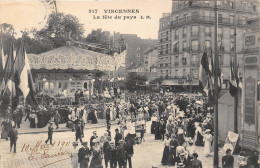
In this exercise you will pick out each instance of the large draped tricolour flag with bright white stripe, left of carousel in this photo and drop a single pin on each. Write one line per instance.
(23, 81)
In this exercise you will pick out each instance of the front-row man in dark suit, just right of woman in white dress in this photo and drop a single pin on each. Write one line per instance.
(83, 155)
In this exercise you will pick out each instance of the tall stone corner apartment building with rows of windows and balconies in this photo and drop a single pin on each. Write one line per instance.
(189, 29)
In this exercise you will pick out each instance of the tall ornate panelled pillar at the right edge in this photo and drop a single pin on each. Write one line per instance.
(250, 114)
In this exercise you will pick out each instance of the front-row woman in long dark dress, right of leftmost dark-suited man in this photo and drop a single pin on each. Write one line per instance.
(96, 161)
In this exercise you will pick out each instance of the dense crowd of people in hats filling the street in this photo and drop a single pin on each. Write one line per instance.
(179, 120)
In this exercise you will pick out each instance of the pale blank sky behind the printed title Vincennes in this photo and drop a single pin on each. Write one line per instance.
(24, 14)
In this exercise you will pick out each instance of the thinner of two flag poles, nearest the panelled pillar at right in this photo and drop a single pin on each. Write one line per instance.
(235, 70)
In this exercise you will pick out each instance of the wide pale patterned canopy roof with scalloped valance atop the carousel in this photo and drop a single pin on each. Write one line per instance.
(71, 57)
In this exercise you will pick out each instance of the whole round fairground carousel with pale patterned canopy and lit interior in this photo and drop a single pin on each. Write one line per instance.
(68, 71)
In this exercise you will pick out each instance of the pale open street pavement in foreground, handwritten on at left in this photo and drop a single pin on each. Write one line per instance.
(33, 153)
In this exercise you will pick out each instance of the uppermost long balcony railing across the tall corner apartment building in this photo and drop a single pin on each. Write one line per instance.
(206, 19)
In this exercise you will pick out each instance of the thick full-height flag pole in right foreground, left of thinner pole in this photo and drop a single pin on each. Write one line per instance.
(216, 69)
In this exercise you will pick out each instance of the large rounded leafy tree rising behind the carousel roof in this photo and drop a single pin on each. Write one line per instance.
(57, 27)
